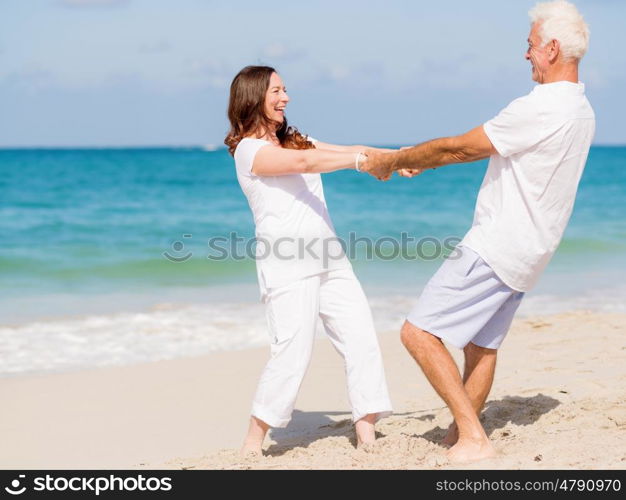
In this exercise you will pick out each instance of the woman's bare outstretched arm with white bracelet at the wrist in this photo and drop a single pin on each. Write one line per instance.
(273, 160)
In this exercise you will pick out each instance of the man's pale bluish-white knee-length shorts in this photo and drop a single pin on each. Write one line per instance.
(466, 302)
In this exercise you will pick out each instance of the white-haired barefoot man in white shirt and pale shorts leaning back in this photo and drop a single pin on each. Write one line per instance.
(538, 147)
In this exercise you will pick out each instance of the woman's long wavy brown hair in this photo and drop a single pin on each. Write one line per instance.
(246, 110)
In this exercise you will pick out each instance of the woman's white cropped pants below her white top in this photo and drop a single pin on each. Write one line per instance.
(292, 311)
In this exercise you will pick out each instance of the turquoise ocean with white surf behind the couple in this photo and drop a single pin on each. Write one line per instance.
(110, 256)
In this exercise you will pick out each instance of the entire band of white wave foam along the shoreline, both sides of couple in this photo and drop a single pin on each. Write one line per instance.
(173, 331)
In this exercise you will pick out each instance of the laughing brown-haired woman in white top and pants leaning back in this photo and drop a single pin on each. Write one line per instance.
(302, 270)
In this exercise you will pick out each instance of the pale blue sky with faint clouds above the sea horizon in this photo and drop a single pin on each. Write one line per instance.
(156, 72)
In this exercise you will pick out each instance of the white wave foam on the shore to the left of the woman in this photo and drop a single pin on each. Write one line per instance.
(127, 338)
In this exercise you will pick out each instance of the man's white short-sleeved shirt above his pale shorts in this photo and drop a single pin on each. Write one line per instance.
(528, 192)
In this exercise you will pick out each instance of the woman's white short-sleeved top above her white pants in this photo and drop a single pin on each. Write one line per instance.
(295, 236)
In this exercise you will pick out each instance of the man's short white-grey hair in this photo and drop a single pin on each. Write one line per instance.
(560, 20)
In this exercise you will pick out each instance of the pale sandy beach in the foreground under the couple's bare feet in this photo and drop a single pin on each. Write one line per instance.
(559, 401)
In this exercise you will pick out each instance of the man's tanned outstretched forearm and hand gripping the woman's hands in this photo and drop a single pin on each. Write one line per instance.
(471, 146)
